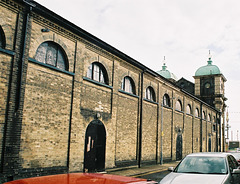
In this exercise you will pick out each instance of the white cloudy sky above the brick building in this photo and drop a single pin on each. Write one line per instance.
(182, 30)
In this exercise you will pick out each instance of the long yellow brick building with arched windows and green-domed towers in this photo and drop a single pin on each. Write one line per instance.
(69, 102)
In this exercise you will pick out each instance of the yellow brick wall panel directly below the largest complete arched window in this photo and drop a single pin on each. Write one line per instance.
(45, 123)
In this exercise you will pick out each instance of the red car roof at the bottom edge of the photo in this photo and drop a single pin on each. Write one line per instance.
(82, 178)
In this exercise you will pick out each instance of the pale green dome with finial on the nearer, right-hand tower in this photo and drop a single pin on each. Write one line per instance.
(209, 69)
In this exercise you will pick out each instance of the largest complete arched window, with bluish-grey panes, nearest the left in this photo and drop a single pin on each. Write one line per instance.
(52, 54)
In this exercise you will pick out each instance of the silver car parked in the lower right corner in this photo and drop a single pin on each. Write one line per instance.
(205, 168)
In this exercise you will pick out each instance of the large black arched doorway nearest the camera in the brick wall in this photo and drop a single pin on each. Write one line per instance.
(95, 144)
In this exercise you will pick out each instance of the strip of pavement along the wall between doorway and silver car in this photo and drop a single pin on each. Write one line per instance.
(135, 171)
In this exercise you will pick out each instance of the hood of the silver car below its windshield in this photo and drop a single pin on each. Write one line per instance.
(176, 178)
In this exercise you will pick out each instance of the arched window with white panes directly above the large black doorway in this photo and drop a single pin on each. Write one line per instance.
(96, 71)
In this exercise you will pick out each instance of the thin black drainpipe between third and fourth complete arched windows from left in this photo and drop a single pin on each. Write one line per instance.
(140, 124)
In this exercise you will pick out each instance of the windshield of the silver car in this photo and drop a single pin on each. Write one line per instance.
(202, 165)
